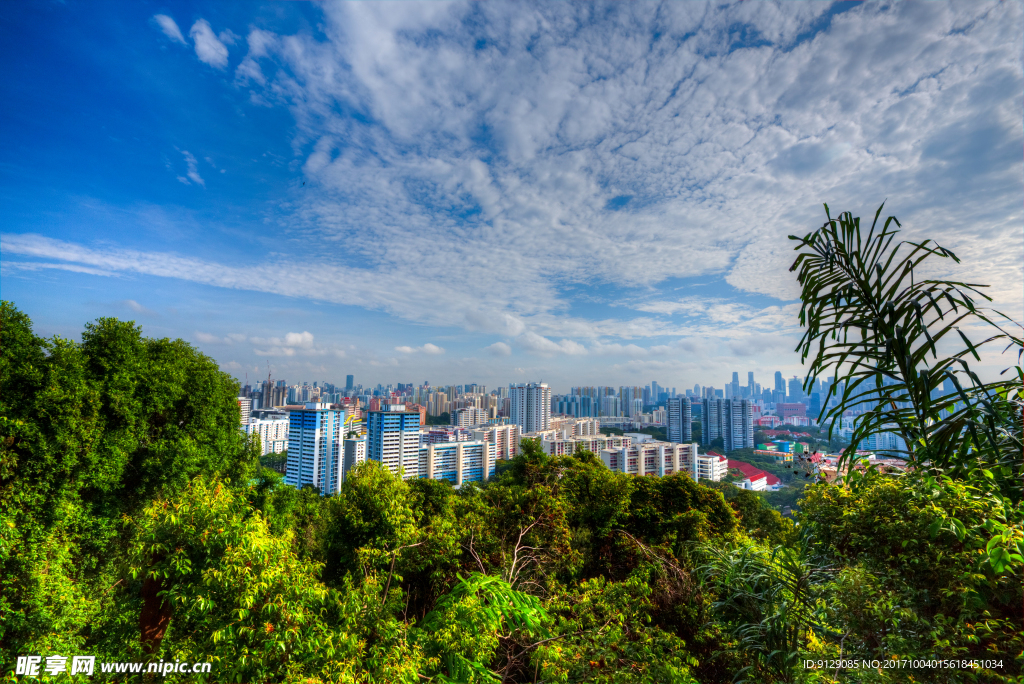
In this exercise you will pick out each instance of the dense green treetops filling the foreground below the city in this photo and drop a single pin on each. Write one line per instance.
(137, 524)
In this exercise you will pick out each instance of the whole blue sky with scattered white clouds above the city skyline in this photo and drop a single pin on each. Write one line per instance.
(581, 194)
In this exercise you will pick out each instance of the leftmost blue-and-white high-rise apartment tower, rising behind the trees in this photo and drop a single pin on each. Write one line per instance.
(315, 448)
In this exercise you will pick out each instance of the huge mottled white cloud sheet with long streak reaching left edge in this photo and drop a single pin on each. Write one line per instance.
(530, 158)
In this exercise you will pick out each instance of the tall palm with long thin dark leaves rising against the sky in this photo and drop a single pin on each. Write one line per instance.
(886, 334)
